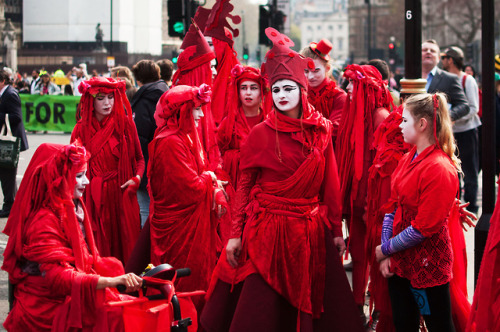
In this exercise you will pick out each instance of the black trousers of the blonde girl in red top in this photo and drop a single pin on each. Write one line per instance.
(406, 313)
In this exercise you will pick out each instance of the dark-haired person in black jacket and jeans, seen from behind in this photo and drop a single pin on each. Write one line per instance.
(147, 75)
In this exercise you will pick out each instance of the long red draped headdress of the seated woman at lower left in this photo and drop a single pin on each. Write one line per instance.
(48, 182)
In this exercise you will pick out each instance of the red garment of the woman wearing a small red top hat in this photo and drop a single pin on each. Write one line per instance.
(329, 100)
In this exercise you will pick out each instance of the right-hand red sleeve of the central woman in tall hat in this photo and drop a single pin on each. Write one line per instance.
(331, 193)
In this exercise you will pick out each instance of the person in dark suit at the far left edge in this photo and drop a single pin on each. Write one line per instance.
(10, 104)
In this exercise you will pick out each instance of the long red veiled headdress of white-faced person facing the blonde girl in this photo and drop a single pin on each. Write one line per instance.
(369, 93)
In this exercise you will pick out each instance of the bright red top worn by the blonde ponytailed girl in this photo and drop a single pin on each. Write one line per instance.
(425, 190)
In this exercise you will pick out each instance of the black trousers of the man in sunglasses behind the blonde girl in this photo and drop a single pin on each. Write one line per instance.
(468, 152)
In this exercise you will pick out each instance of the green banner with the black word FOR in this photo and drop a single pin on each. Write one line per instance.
(49, 113)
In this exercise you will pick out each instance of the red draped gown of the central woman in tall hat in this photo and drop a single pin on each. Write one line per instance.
(288, 203)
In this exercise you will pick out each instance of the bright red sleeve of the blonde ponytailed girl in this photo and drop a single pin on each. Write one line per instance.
(438, 187)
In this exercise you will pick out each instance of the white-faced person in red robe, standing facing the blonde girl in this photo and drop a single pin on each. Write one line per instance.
(366, 108)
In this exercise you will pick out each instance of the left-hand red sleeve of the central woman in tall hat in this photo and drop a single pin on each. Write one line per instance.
(245, 184)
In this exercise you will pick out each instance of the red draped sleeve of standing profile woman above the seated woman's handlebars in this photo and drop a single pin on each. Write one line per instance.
(175, 169)
